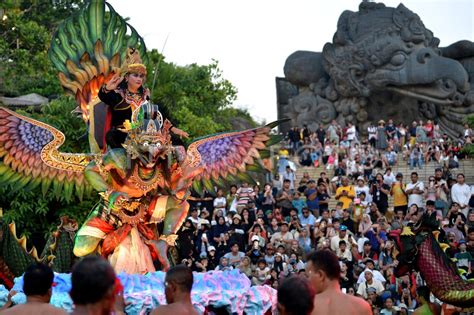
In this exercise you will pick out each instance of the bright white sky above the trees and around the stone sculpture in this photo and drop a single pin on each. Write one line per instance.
(251, 39)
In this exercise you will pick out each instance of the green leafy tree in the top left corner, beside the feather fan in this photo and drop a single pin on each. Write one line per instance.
(26, 28)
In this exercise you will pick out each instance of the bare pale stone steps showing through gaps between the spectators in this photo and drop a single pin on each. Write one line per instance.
(465, 166)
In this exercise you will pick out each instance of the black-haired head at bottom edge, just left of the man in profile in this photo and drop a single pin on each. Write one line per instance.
(296, 295)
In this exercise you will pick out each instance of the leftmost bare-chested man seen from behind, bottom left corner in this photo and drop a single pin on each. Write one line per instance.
(37, 283)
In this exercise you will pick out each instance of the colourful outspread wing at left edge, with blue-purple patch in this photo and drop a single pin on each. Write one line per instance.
(29, 157)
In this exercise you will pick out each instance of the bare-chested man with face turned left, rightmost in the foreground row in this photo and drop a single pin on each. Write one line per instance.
(323, 271)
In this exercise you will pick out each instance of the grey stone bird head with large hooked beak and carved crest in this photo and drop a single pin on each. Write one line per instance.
(387, 49)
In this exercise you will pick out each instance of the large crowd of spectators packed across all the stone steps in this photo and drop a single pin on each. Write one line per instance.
(267, 231)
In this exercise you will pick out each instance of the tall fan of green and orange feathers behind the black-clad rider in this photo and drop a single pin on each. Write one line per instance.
(86, 49)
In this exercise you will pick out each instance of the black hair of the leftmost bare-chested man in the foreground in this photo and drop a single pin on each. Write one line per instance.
(37, 280)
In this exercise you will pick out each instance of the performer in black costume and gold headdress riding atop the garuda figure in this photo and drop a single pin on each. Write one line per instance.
(124, 93)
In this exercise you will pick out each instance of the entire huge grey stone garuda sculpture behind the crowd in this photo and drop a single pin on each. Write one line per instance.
(382, 63)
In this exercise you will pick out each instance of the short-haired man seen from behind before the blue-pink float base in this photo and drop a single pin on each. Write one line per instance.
(178, 285)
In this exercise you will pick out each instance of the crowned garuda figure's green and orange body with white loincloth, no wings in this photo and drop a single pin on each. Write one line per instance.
(141, 185)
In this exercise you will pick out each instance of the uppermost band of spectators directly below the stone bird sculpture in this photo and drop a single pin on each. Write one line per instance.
(343, 148)
